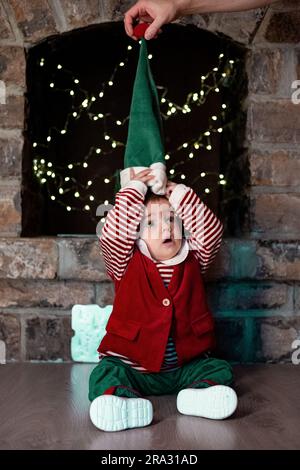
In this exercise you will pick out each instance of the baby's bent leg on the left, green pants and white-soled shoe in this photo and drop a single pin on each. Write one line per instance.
(116, 402)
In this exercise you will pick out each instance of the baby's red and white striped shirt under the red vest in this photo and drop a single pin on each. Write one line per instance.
(118, 237)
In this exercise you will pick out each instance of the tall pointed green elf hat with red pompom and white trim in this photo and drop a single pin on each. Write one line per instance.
(145, 146)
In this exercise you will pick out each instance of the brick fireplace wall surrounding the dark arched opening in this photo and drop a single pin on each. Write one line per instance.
(253, 285)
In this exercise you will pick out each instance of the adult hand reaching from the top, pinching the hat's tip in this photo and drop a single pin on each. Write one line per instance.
(155, 12)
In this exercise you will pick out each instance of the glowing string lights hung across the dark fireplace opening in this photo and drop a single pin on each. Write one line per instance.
(209, 82)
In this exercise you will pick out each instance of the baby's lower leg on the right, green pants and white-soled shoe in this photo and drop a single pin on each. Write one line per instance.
(205, 389)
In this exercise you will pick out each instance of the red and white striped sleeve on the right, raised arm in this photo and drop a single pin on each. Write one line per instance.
(205, 229)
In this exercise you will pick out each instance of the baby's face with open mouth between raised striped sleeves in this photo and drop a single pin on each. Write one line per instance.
(161, 230)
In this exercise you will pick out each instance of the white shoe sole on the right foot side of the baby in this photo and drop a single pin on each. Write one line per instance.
(214, 402)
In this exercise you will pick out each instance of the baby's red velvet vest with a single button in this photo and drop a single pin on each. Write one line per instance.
(144, 310)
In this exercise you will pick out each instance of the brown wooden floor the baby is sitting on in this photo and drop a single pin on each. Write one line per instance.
(45, 406)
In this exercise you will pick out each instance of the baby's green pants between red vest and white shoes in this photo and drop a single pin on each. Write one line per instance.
(112, 376)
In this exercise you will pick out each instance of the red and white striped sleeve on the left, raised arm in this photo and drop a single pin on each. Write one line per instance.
(119, 231)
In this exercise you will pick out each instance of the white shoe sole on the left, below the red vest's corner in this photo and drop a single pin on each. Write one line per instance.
(112, 413)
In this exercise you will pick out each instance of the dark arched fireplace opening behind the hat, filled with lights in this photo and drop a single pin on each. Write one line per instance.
(79, 88)
